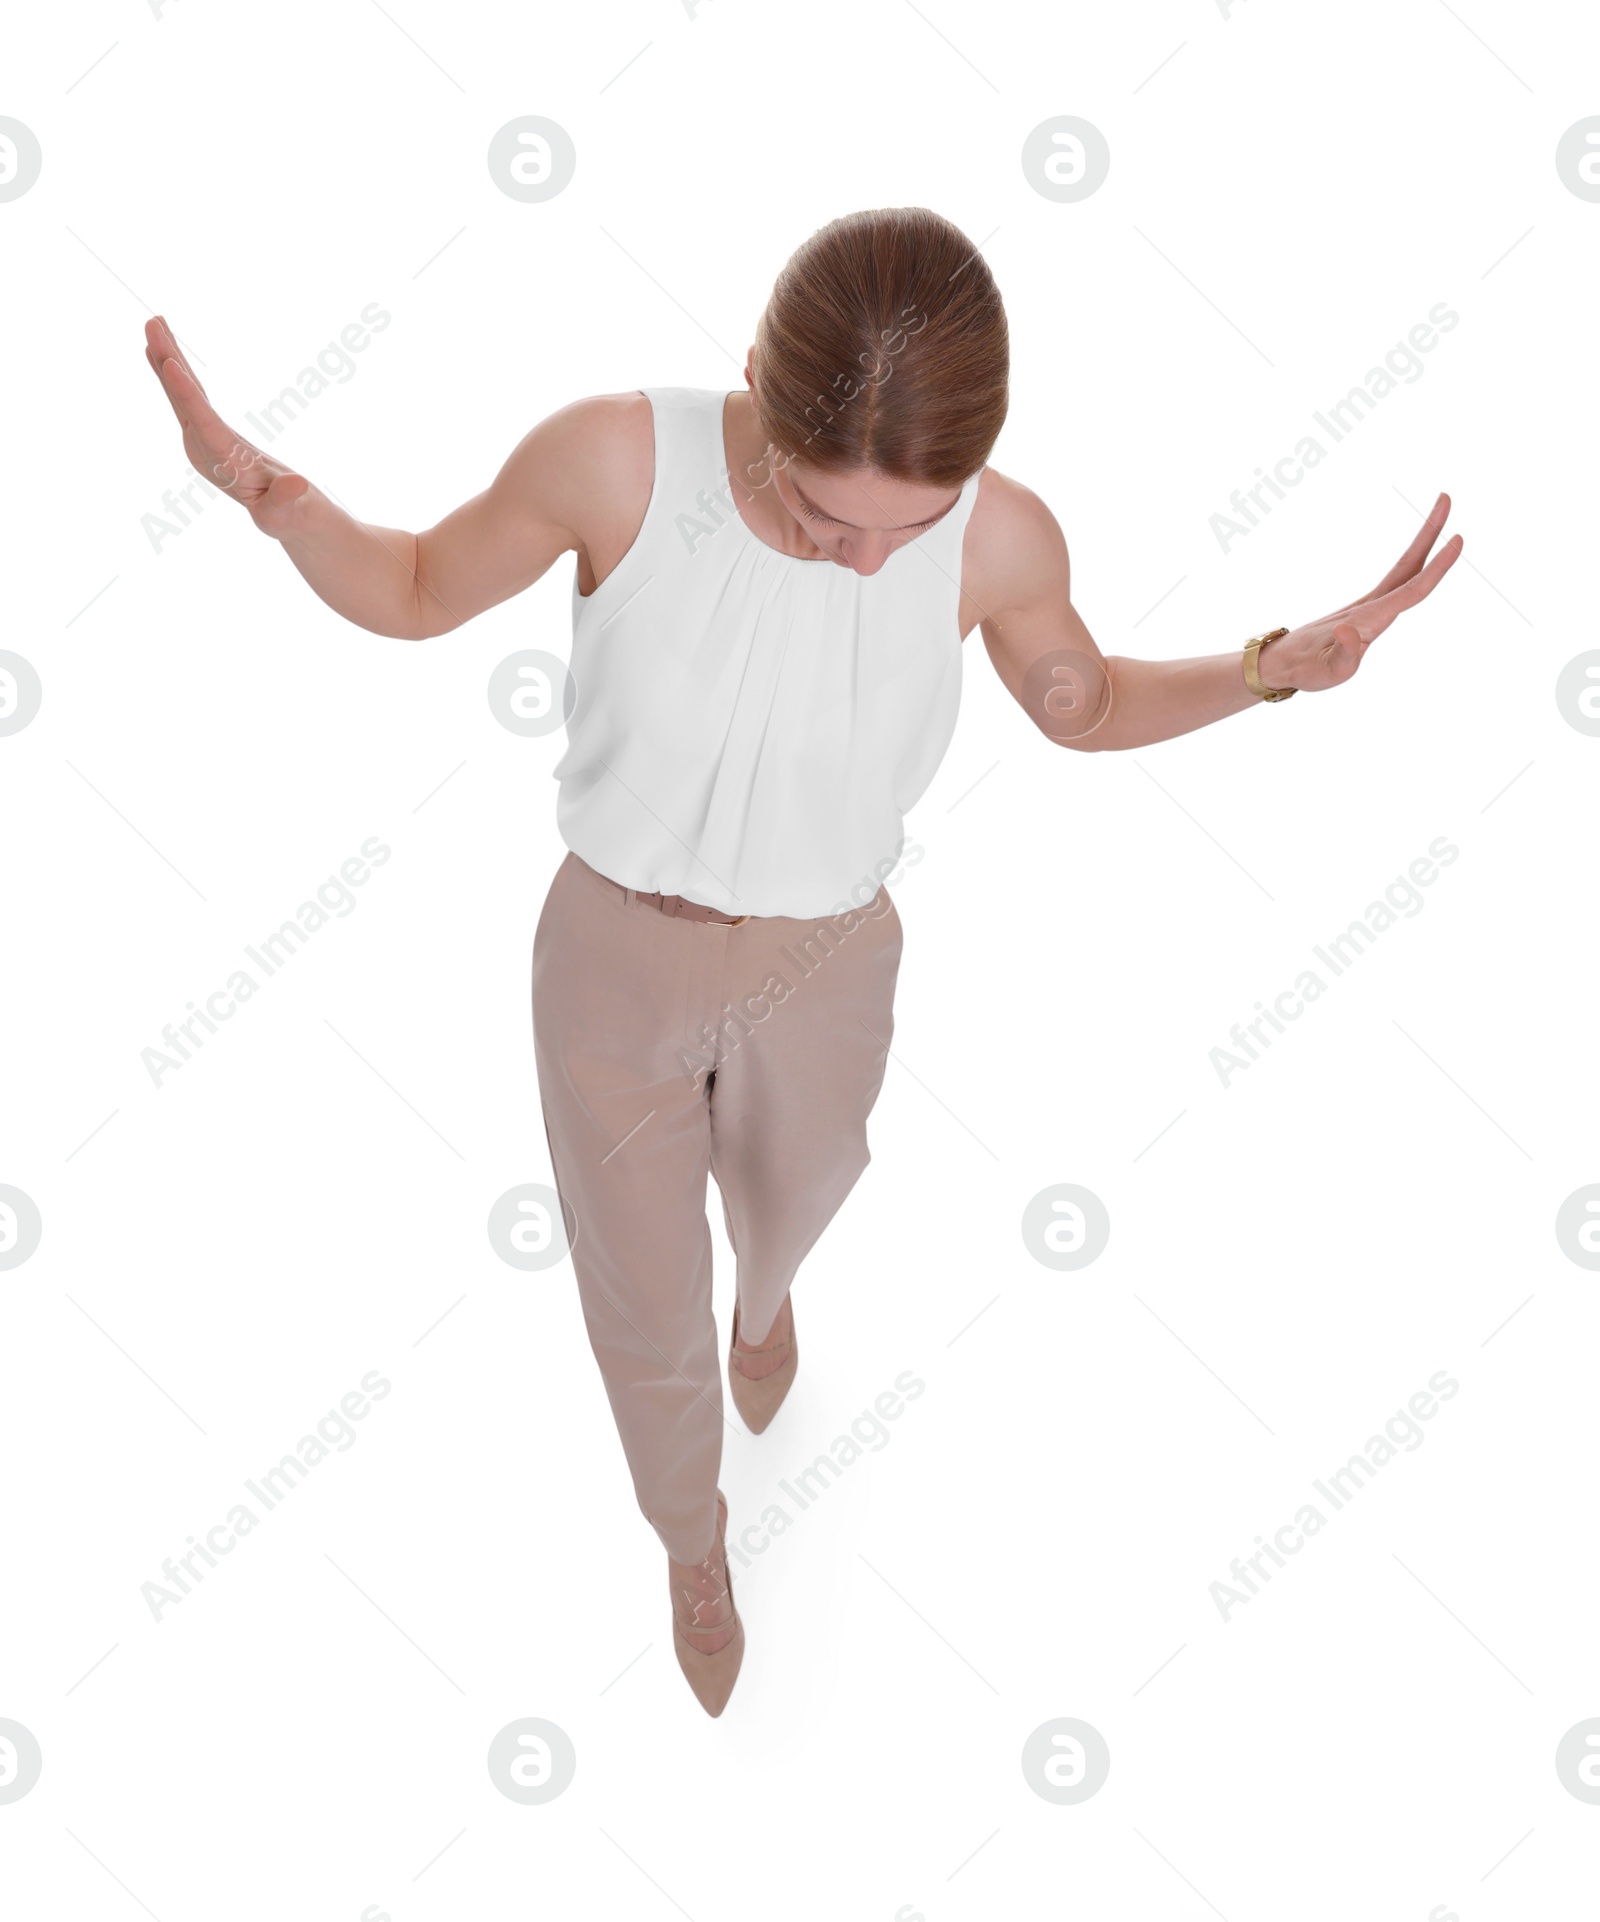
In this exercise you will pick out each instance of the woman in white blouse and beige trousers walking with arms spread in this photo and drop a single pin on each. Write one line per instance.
(764, 685)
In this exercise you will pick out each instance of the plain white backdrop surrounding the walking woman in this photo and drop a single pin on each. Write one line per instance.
(1295, 1256)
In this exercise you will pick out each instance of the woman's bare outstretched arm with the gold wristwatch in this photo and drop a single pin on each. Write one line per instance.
(1082, 699)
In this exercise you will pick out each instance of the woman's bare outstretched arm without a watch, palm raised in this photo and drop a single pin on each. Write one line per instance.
(384, 578)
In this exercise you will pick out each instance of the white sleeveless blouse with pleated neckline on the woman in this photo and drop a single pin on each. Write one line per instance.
(751, 727)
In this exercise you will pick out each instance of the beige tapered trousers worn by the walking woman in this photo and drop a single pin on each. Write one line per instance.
(670, 1048)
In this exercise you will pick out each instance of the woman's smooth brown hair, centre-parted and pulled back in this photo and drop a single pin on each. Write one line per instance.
(886, 347)
